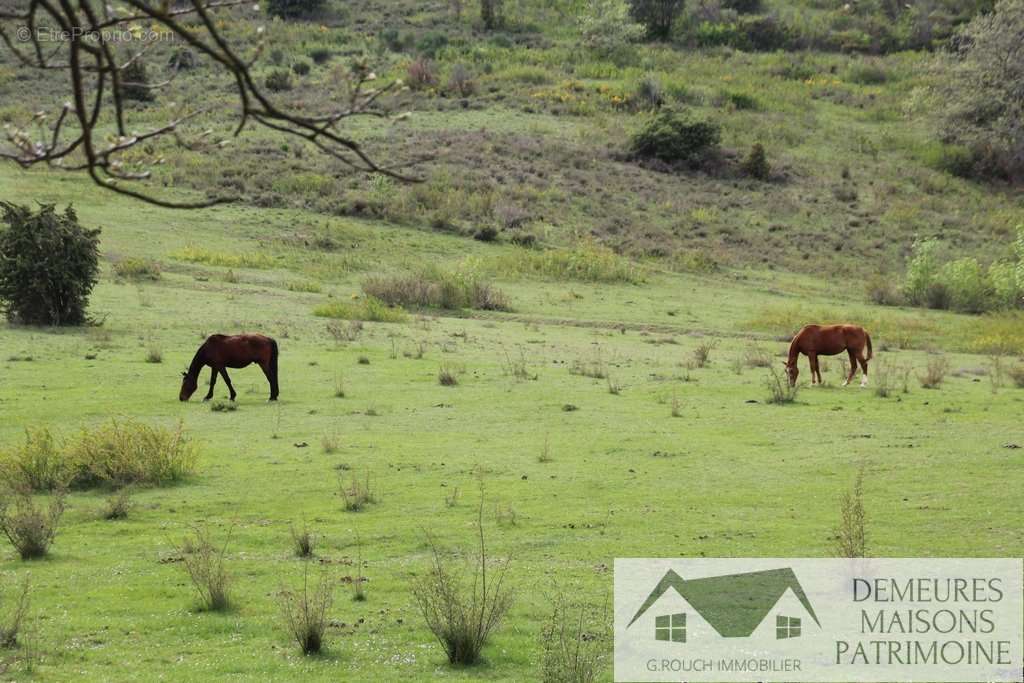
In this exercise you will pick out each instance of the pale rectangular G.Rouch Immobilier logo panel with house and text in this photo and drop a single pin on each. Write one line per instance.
(819, 620)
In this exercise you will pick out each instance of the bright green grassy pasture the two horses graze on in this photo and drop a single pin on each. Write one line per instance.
(565, 491)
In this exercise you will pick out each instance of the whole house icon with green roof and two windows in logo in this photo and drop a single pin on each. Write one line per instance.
(770, 604)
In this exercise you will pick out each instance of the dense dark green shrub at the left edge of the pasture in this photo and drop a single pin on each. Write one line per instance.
(49, 266)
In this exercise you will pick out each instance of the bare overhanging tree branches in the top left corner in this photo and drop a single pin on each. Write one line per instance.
(94, 50)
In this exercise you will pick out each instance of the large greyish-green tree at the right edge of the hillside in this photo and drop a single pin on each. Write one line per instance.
(983, 91)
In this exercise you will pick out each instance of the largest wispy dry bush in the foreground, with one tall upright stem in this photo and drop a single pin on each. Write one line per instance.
(463, 611)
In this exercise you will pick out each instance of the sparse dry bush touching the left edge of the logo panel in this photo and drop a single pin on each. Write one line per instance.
(575, 643)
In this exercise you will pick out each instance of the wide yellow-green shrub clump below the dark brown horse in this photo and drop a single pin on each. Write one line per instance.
(117, 454)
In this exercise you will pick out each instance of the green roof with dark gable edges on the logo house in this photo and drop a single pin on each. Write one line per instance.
(733, 605)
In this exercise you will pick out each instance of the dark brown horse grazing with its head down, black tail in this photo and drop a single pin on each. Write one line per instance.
(222, 353)
